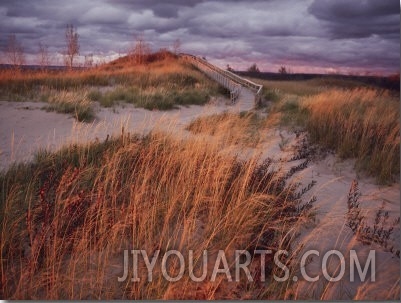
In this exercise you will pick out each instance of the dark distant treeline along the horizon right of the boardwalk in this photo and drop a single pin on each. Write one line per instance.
(390, 82)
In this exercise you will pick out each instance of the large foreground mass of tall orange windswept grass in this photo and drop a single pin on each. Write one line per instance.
(67, 217)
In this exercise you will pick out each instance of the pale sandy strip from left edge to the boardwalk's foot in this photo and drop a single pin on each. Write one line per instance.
(26, 128)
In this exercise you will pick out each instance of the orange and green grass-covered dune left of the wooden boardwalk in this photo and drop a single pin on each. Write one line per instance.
(161, 84)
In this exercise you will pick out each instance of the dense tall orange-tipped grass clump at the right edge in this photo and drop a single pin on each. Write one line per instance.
(359, 123)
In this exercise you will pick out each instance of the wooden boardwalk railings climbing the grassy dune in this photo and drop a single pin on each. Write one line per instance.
(226, 78)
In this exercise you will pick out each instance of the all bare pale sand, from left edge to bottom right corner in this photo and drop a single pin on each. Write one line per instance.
(25, 128)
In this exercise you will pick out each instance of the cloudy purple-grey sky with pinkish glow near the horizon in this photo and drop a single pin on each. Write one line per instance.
(323, 36)
